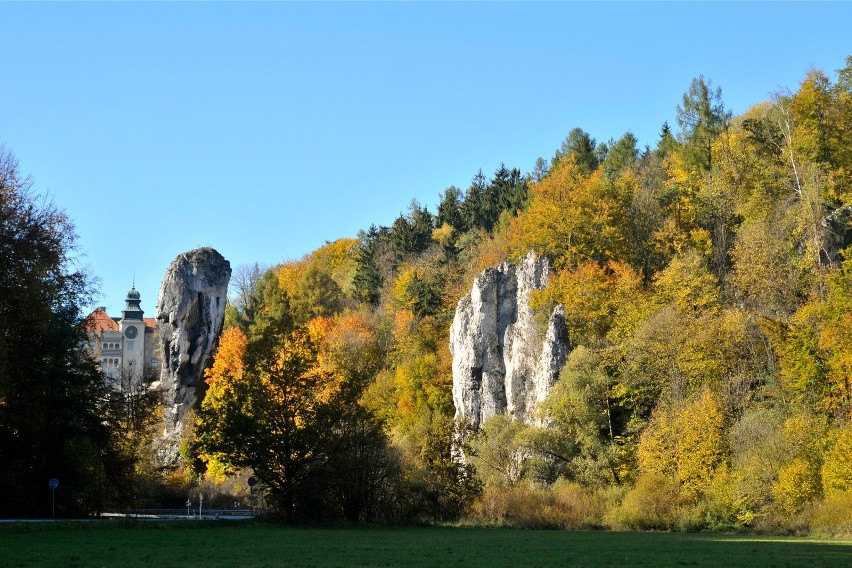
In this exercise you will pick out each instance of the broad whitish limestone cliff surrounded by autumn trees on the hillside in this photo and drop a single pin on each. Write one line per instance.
(503, 361)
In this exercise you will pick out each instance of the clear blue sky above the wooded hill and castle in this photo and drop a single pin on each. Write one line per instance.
(266, 129)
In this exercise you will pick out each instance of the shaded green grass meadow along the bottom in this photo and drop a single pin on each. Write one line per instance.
(213, 544)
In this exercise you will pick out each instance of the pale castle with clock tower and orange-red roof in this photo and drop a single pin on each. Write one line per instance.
(125, 347)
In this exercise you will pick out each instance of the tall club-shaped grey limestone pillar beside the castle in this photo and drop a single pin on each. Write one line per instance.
(191, 311)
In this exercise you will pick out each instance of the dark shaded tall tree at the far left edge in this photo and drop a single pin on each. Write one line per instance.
(52, 396)
